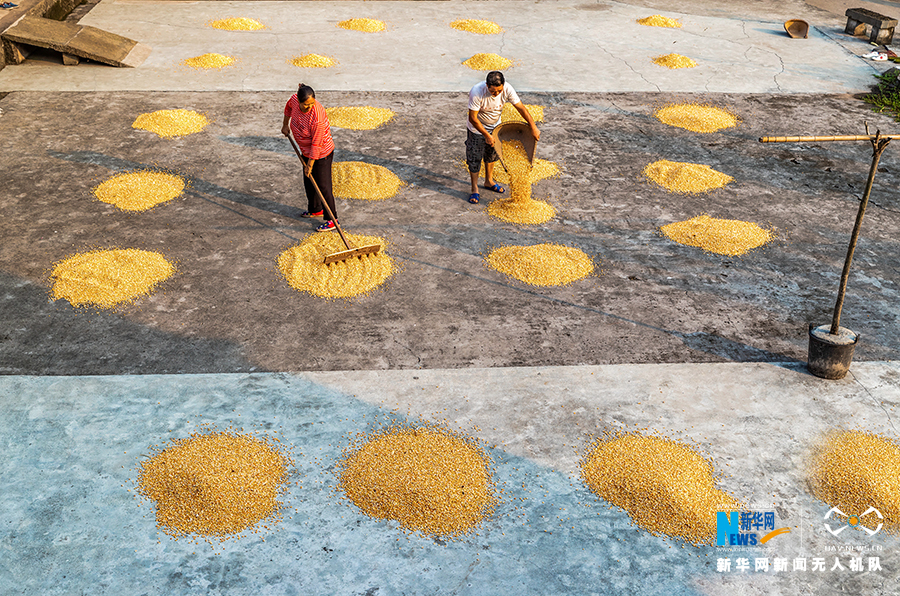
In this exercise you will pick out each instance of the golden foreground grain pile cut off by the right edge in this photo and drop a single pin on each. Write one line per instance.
(855, 470)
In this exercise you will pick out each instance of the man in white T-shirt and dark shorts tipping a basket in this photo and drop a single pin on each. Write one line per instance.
(485, 107)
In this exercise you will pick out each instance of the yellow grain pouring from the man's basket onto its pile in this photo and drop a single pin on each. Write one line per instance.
(519, 207)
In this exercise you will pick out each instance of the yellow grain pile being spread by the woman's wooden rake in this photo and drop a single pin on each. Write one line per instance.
(304, 269)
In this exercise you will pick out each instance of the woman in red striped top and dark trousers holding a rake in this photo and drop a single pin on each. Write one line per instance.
(306, 119)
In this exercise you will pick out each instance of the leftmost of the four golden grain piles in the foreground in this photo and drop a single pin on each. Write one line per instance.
(216, 484)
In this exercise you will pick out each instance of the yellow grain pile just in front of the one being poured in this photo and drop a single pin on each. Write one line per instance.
(541, 264)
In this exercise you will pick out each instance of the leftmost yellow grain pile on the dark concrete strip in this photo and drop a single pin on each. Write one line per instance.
(105, 278)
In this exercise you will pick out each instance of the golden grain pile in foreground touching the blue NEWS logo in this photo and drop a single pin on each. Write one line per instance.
(666, 487)
